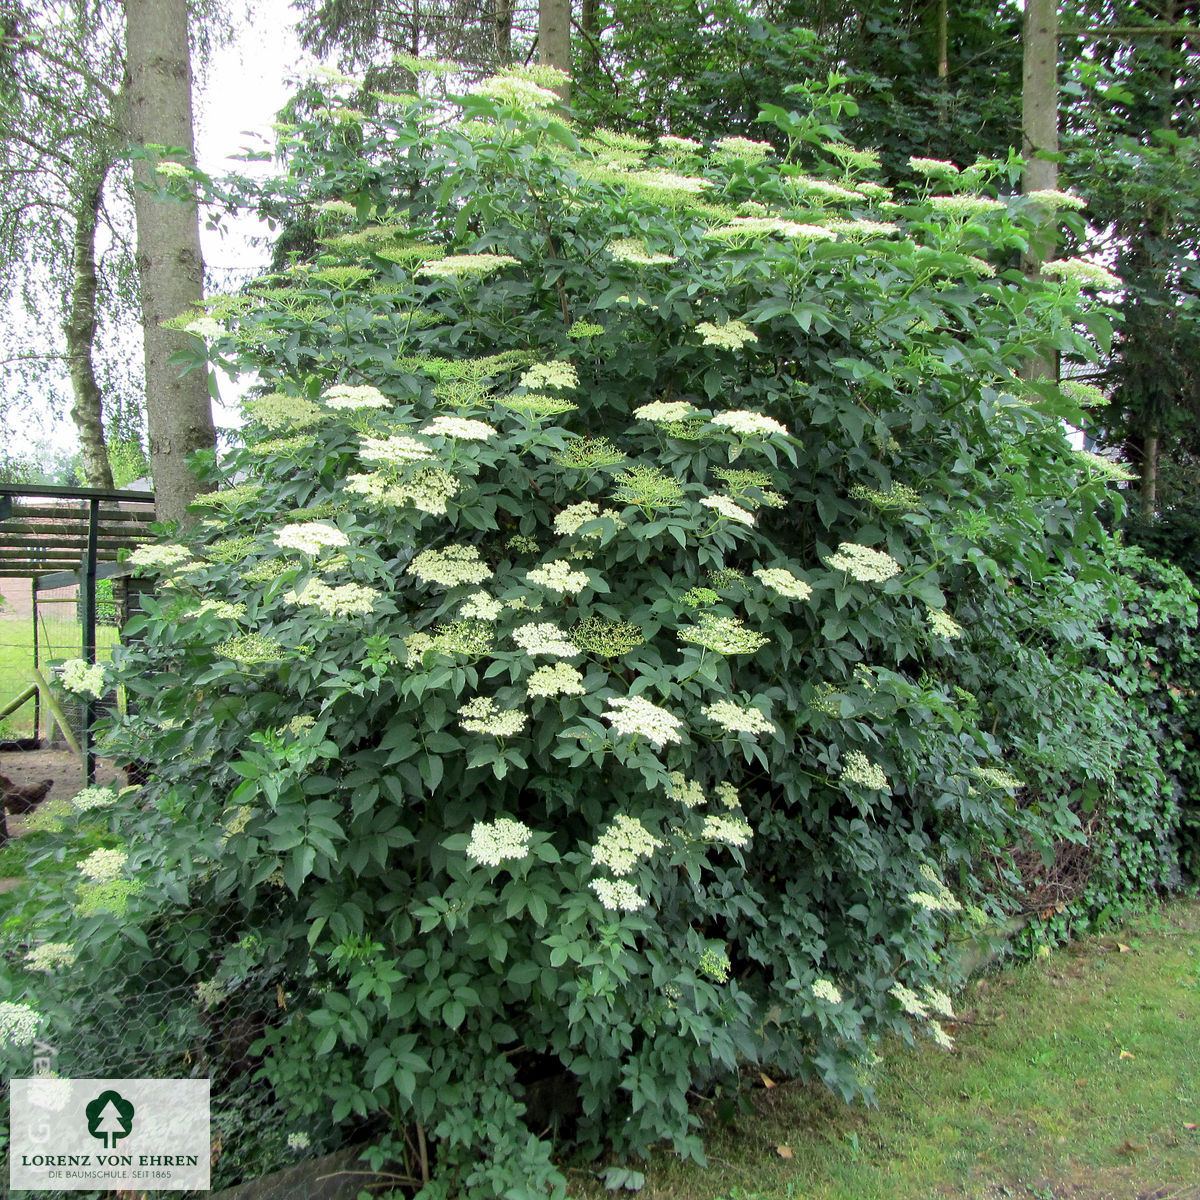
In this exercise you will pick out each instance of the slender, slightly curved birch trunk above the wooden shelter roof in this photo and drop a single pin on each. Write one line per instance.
(81, 329)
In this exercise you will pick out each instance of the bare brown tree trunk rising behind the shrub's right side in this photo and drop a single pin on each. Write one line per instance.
(1040, 140)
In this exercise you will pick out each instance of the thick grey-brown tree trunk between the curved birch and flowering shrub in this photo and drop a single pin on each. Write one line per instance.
(171, 269)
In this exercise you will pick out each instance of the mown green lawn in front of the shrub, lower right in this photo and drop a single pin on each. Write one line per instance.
(1075, 1077)
